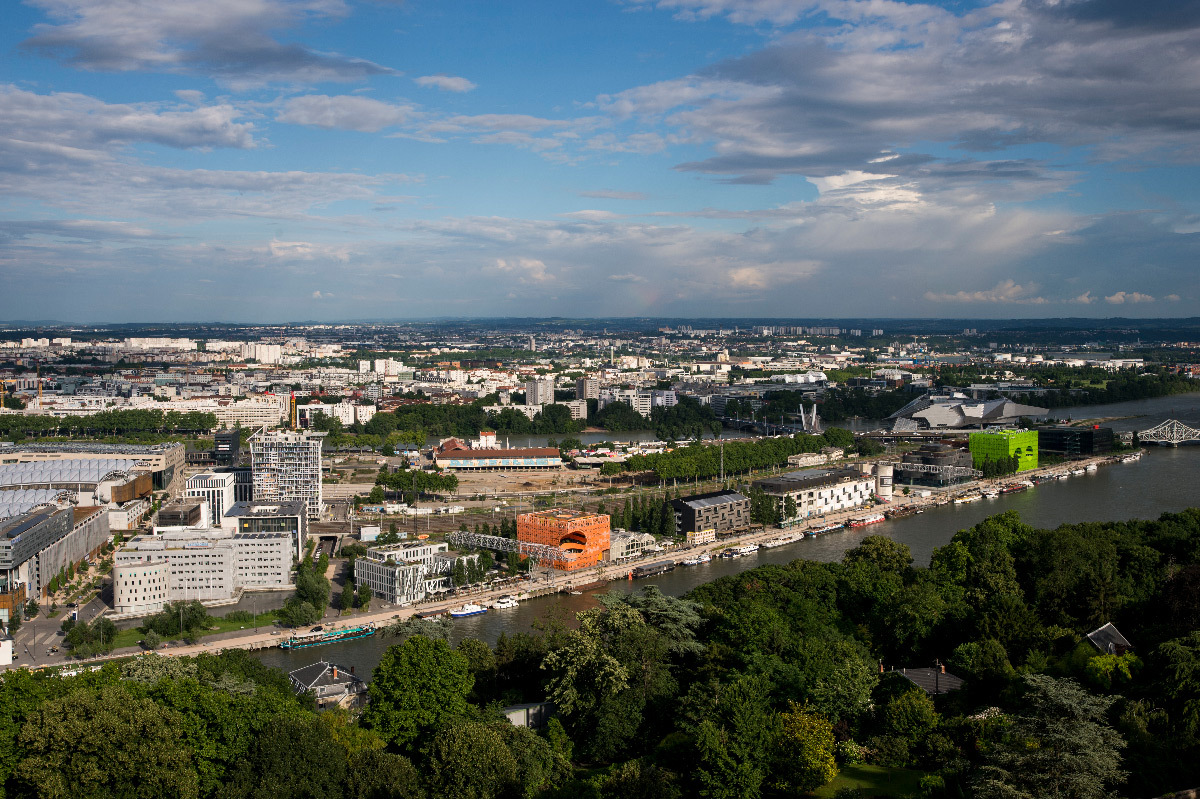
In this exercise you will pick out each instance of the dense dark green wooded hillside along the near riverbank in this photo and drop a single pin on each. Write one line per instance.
(759, 686)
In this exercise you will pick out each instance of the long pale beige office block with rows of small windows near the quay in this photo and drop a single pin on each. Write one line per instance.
(209, 566)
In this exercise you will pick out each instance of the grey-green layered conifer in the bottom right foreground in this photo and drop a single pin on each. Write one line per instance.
(1060, 746)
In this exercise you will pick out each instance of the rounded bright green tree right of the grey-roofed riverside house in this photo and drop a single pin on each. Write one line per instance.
(417, 687)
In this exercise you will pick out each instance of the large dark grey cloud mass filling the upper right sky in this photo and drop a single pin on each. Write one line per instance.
(862, 82)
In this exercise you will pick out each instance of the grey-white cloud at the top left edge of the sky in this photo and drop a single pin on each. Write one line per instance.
(229, 40)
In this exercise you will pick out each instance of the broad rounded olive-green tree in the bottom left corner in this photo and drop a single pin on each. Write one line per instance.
(105, 743)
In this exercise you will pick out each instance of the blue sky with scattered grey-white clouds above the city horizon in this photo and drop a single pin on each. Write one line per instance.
(332, 160)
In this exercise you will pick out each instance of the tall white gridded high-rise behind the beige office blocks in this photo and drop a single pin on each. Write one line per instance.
(287, 467)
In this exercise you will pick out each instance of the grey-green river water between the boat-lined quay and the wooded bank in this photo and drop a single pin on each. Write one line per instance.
(1165, 480)
